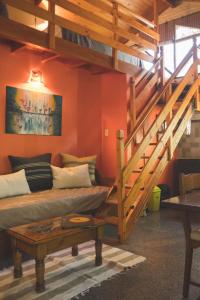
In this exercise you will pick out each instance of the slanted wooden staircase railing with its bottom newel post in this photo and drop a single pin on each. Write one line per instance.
(156, 147)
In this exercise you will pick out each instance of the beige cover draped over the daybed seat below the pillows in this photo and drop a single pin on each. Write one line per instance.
(48, 204)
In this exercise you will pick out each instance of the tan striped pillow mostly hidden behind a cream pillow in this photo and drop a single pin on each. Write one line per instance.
(73, 161)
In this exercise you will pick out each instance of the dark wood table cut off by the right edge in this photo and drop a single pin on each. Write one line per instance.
(188, 204)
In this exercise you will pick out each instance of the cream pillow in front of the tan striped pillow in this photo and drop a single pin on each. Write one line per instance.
(71, 177)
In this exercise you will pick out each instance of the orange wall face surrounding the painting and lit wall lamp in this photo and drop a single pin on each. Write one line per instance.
(14, 71)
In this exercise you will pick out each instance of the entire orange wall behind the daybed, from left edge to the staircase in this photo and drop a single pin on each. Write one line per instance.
(91, 103)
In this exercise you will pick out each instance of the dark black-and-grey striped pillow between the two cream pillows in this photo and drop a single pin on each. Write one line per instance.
(37, 169)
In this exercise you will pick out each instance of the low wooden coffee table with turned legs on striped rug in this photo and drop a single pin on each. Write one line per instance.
(39, 245)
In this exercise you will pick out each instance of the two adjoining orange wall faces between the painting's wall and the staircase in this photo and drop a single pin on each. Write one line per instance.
(101, 105)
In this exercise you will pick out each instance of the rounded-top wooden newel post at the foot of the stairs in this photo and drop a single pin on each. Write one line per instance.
(121, 184)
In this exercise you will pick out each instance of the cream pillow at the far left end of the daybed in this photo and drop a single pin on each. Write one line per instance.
(14, 184)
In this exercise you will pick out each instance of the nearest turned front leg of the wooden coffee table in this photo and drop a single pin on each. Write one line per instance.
(39, 269)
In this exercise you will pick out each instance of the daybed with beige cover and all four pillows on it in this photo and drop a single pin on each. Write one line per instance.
(37, 190)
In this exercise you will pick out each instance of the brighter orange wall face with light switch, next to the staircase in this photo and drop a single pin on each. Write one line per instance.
(114, 117)
